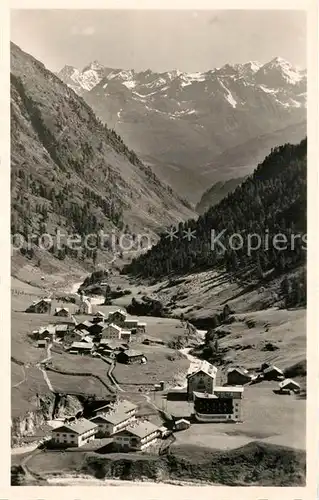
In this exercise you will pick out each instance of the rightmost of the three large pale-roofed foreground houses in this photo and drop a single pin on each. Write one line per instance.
(137, 437)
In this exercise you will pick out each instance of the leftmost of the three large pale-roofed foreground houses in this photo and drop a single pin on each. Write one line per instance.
(76, 433)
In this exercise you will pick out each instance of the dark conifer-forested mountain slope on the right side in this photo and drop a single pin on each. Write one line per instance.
(269, 203)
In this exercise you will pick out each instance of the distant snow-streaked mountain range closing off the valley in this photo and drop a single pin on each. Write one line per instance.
(186, 119)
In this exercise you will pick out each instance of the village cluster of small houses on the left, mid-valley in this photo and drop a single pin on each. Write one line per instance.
(102, 335)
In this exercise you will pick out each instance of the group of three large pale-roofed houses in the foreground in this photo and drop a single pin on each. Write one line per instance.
(117, 420)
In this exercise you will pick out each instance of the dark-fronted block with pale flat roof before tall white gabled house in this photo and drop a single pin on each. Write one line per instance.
(223, 405)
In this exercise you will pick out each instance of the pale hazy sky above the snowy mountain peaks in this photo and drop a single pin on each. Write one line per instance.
(159, 40)
